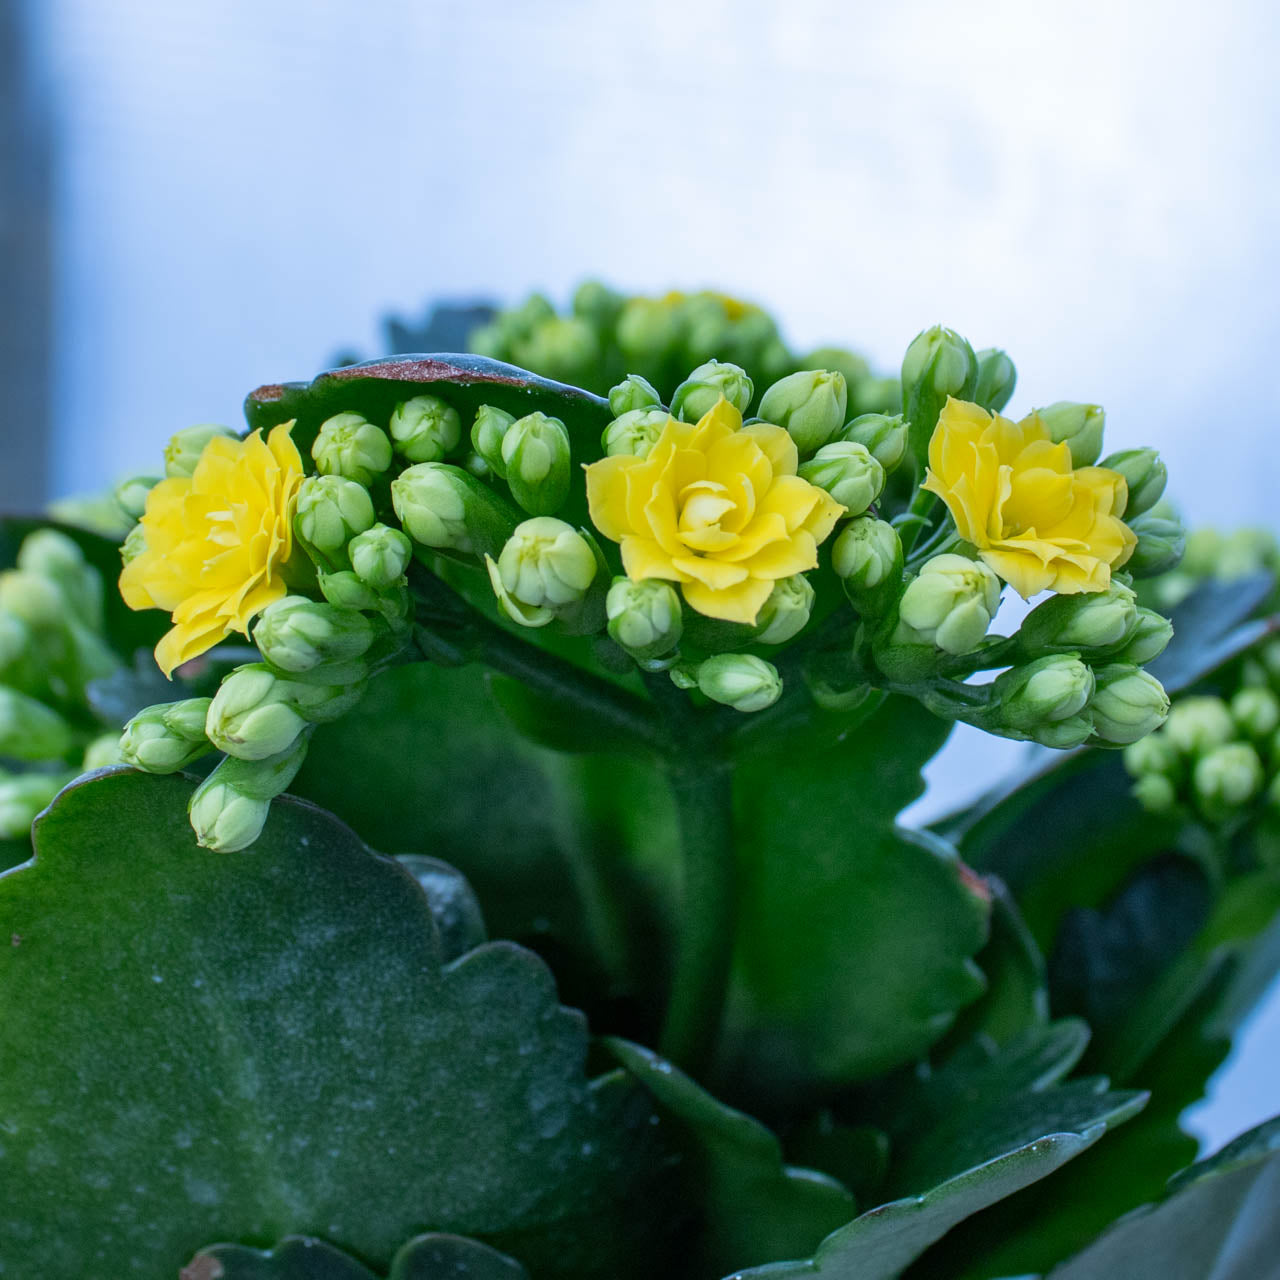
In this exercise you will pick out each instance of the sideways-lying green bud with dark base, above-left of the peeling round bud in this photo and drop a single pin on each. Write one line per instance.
(449, 509)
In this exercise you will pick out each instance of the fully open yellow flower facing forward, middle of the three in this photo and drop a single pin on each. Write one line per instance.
(716, 508)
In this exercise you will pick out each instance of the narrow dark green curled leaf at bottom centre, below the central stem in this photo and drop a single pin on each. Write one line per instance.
(749, 1206)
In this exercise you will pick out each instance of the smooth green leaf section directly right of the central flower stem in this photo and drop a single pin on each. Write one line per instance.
(856, 936)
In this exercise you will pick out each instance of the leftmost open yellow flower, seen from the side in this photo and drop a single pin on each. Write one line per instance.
(216, 542)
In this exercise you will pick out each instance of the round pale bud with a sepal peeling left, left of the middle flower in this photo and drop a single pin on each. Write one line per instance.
(546, 568)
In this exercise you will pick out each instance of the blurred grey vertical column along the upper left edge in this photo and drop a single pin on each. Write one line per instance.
(25, 268)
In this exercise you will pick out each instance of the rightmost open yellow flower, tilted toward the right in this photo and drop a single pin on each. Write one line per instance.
(1013, 493)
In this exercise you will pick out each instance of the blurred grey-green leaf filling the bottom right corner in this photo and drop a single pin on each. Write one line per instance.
(1218, 1222)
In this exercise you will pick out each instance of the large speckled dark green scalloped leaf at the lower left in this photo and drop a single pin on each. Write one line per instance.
(203, 1046)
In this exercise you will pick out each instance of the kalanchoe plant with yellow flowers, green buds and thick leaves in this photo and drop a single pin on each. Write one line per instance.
(638, 687)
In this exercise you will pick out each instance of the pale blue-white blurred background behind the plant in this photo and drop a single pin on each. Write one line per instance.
(203, 198)
